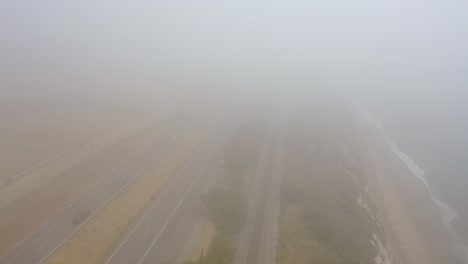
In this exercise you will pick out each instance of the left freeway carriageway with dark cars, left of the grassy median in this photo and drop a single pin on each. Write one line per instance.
(49, 237)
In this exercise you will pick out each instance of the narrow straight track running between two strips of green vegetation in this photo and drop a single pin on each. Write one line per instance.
(257, 243)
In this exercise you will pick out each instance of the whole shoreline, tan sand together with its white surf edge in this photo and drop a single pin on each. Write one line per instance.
(402, 183)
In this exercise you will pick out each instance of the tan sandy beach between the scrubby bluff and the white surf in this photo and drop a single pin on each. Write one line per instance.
(415, 232)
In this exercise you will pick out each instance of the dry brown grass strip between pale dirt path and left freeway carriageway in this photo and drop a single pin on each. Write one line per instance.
(24, 215)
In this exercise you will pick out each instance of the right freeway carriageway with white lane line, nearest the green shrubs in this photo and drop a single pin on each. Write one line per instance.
(160, 233)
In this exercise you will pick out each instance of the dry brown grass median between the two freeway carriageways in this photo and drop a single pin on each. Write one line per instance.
(97, 236)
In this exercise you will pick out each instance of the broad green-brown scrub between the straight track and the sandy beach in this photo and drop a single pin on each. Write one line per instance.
(320, 218)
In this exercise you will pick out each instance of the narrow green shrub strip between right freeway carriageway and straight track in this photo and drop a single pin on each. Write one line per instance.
(227, 200)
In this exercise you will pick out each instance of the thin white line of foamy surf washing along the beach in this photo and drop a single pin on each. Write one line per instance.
(449, 214)
